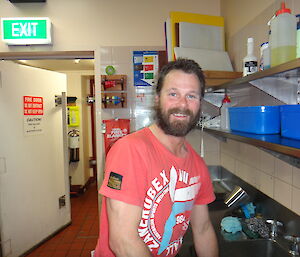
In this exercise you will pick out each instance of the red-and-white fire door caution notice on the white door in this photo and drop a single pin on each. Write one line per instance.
(33, 110)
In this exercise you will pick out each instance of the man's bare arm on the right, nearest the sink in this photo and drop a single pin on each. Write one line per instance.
(205, 240)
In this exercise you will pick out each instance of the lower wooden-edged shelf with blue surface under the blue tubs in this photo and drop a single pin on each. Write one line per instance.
(275, 142)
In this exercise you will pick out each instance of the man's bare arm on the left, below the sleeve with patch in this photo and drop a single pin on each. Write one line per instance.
(123, 221)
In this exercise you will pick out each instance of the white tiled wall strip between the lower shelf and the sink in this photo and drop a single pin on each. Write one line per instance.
(275, 178)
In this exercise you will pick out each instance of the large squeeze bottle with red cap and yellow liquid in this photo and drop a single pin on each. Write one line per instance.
(283, 36)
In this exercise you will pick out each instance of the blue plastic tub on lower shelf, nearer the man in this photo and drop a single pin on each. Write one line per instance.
(255, 119)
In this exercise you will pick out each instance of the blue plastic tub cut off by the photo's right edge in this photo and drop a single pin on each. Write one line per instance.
(290, 121)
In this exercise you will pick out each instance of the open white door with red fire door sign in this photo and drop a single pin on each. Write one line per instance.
(33, 166)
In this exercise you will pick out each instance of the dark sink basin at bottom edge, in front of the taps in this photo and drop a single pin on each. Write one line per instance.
(252, 248)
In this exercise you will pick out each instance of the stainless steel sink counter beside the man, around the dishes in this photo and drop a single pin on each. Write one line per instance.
(223, 182)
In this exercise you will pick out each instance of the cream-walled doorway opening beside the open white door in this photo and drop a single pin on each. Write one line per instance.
(79, 68)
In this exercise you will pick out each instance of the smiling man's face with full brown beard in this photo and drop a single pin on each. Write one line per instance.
(178, 106)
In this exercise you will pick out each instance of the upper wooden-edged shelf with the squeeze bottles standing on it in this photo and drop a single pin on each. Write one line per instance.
(285, 70)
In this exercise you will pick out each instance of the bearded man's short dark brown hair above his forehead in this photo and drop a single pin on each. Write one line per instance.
(182, 64)
